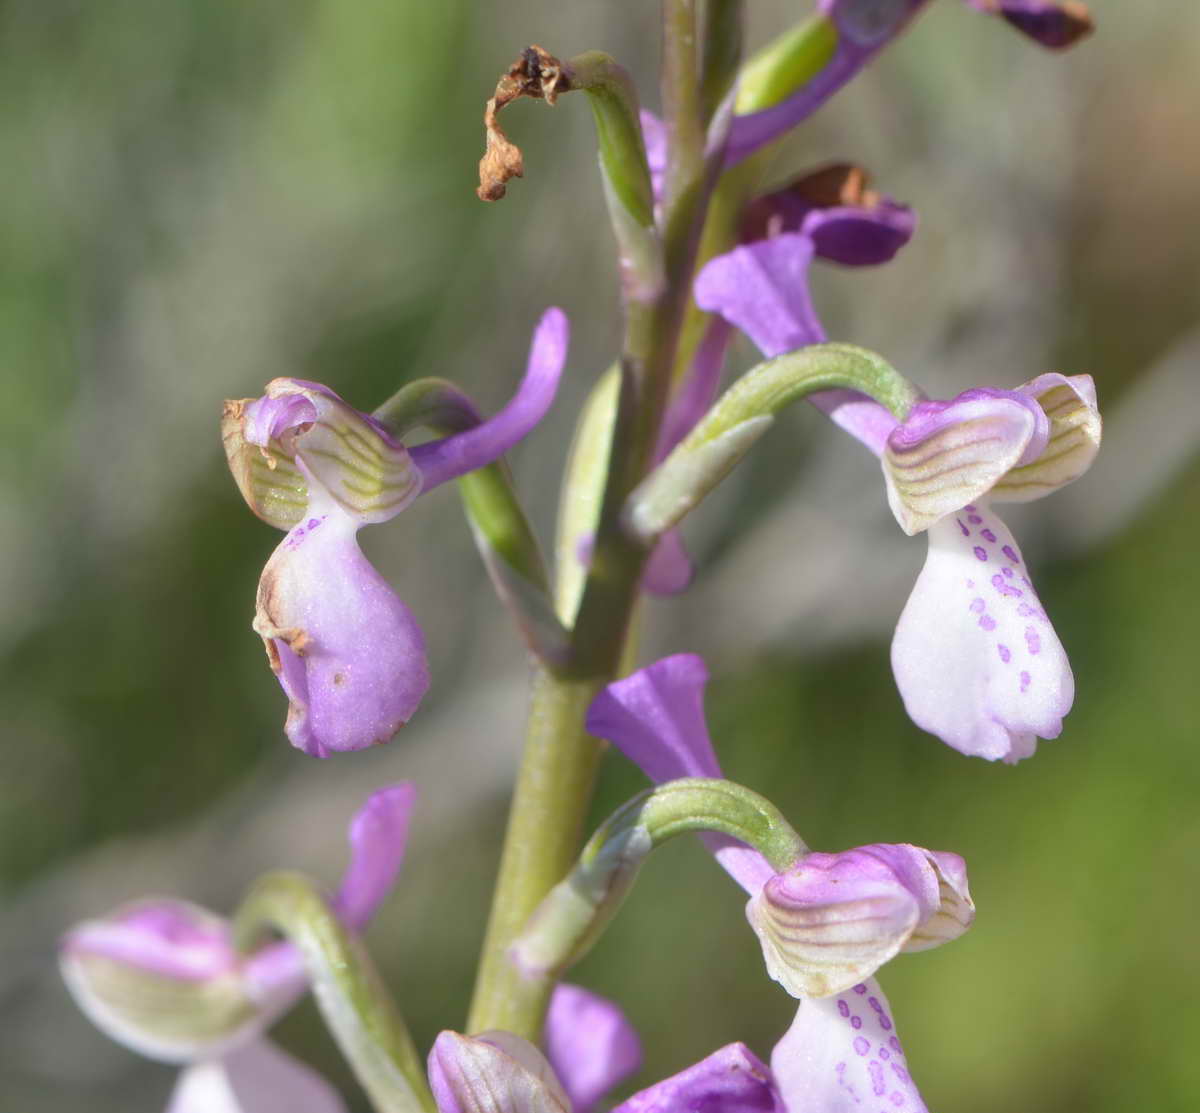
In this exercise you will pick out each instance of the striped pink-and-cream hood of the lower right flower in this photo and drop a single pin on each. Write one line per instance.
(835, 919)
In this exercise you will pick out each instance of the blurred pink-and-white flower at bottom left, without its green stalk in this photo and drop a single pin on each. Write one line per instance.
(161, 977)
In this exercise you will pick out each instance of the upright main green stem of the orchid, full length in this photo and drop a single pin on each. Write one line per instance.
(559, 767)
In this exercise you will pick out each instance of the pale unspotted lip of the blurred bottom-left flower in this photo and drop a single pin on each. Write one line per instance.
(257, 1079)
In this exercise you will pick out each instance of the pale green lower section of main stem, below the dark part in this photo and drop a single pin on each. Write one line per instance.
(545, 823)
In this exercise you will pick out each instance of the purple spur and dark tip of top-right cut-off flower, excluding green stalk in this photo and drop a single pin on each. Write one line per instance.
(862, 28)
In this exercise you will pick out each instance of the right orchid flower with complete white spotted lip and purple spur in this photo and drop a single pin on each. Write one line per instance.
(975, 657)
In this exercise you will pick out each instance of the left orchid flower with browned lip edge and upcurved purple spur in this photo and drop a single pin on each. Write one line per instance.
(346, 649)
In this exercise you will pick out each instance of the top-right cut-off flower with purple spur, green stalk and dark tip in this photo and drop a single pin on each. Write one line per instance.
(842, 39)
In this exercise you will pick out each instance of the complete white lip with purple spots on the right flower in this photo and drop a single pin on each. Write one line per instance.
(975, 657)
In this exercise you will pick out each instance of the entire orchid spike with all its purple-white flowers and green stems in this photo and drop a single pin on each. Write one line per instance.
(976, 659)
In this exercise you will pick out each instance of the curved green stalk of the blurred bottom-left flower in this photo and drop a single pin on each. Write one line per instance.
(352, 997)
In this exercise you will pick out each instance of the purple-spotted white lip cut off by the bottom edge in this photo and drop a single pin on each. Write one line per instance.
(843, 1056)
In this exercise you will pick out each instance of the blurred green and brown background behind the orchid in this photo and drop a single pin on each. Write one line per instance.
(201, 195)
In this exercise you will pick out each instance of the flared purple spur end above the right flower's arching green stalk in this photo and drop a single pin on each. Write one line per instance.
(764, 290)
